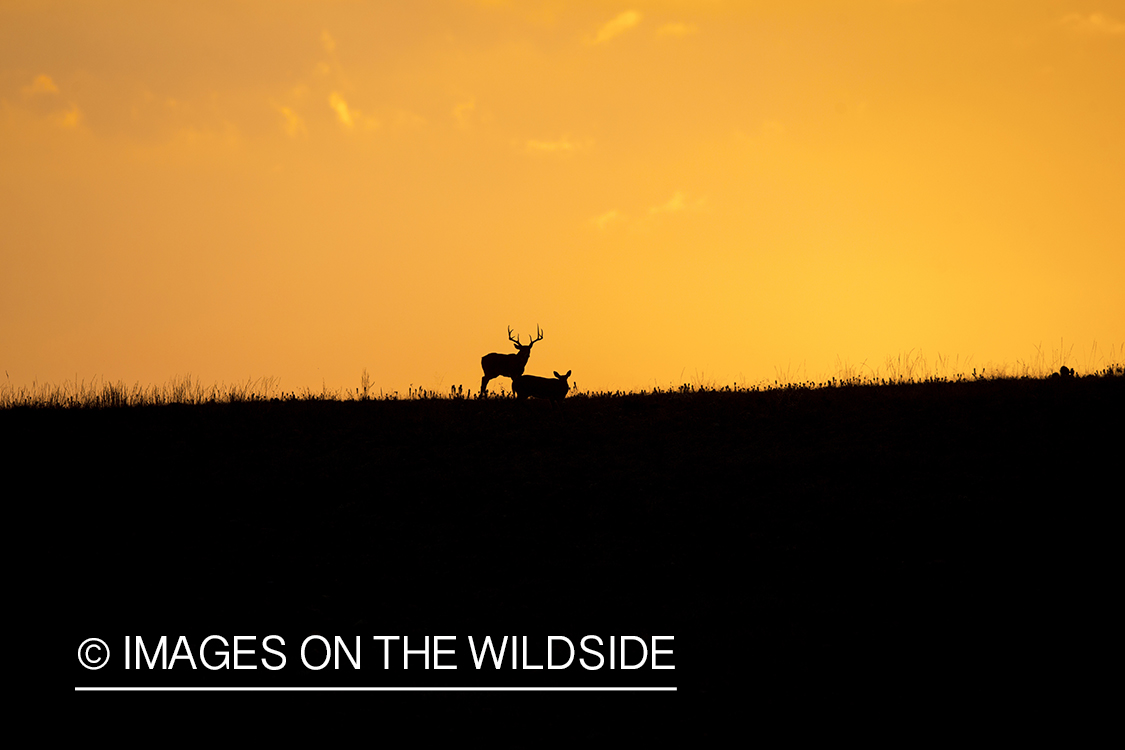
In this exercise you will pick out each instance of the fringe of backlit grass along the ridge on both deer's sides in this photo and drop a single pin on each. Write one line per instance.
(912, 367)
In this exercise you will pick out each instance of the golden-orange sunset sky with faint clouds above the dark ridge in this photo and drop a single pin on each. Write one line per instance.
(708, 191)
